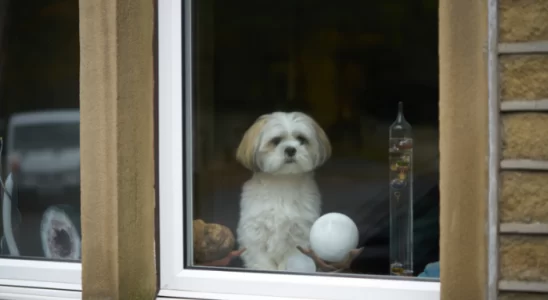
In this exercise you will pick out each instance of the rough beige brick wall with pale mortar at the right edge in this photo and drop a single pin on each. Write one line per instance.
(523, 34)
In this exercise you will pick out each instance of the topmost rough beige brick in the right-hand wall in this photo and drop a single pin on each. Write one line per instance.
(523, 20)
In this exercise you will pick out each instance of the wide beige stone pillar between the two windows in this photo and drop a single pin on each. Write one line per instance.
(117, 149)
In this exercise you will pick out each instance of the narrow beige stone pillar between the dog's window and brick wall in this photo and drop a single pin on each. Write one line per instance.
(463, 144)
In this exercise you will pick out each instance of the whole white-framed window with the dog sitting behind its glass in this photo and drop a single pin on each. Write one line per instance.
(347, 67)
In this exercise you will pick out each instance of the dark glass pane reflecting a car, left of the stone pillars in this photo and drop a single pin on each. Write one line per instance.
(40, 130)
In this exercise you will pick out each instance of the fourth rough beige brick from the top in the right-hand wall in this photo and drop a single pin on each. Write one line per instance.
(524, 197)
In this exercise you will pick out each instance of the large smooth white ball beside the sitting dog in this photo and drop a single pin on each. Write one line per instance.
(332, 236)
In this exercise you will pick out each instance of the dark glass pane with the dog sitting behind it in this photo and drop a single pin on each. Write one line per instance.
(354, 85)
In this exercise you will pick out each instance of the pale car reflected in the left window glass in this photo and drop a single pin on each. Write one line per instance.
(43, 152)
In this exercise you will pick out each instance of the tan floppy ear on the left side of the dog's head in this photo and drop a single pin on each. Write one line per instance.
(245, 154)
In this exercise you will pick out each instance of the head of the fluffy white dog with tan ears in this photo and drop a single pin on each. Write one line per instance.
(284, 143)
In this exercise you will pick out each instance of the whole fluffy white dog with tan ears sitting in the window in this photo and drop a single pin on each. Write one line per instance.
(281, 201)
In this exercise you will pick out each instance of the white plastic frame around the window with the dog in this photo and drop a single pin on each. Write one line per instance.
(175, 168)
